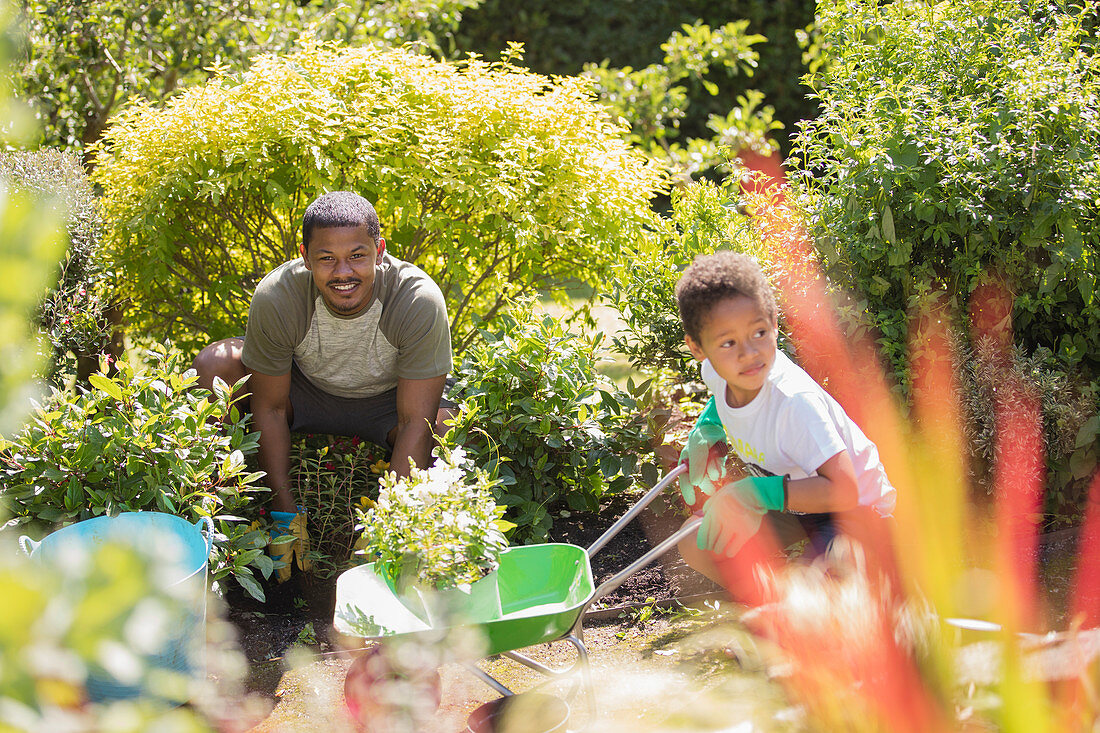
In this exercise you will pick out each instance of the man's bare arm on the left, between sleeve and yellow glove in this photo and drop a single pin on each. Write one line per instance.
(271, 411)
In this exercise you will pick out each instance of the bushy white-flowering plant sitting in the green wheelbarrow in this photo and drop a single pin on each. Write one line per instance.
(439, 527)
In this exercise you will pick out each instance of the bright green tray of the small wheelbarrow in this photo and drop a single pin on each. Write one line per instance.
(544, 589)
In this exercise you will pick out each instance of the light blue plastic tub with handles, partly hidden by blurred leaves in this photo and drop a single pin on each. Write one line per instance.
(180, 552)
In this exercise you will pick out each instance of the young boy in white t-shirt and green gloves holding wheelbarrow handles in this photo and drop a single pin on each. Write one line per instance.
(810, 466)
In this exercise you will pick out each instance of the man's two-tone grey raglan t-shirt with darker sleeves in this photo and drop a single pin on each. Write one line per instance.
(402, 333)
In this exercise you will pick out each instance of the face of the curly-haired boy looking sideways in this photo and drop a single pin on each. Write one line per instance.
(740, 341)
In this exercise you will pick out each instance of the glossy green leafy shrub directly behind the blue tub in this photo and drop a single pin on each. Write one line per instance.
(142, 441)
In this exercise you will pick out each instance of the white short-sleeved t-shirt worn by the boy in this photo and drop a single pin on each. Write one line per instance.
(794, 426)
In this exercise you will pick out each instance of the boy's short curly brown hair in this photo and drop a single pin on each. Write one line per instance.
(713, 278)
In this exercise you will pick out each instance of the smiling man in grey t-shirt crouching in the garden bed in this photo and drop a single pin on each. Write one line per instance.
(346, 341)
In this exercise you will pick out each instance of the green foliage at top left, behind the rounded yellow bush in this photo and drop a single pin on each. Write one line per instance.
(84, 59)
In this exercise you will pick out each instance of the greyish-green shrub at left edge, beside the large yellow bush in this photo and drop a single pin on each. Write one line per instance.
(73, 315)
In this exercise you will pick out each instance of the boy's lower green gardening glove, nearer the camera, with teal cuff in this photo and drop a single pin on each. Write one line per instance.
(735, 513)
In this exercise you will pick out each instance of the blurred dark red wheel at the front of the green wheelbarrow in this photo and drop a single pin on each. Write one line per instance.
(378, 695)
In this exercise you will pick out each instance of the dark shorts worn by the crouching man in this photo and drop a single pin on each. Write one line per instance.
(316, 411)
